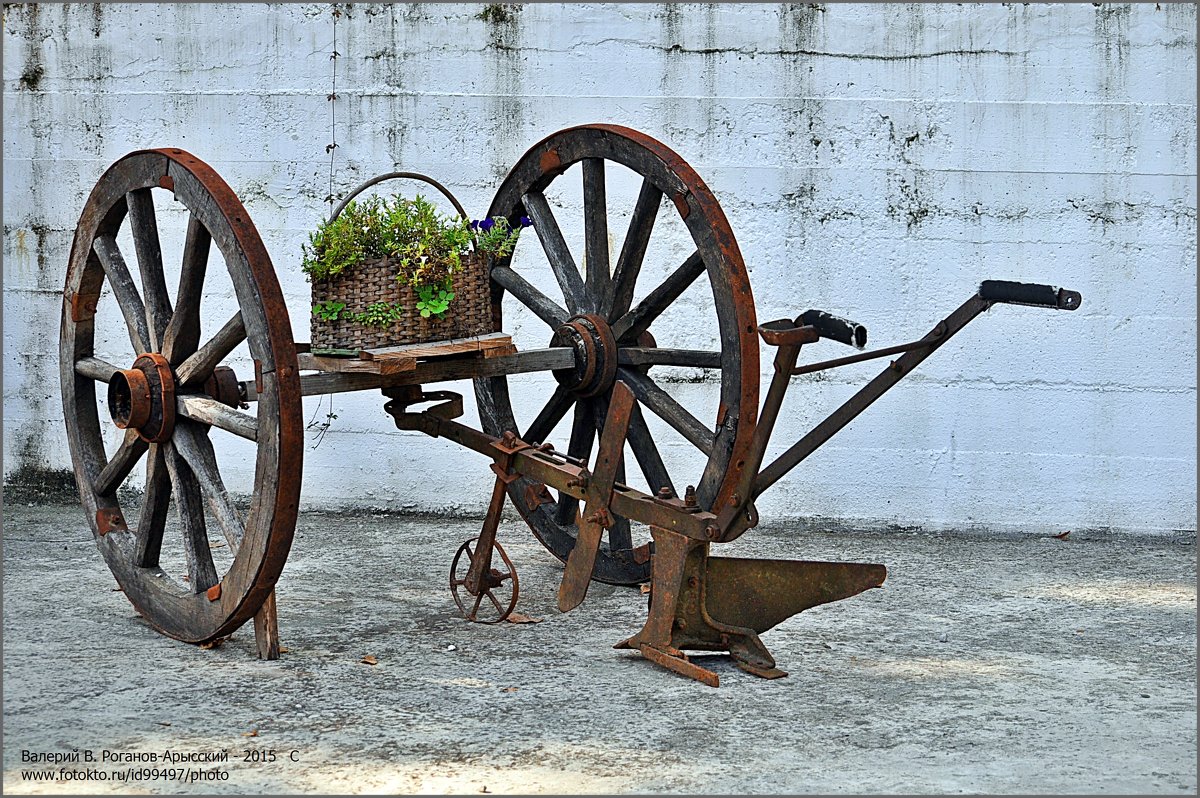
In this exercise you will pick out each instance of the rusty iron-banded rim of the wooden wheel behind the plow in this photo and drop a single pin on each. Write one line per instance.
(710, 230)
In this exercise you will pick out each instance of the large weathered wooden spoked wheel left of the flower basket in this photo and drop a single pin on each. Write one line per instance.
(173, 399)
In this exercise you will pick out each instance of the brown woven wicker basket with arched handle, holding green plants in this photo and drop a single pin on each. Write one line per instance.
(375, 281)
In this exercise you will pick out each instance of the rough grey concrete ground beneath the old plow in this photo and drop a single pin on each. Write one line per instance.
(995, 665)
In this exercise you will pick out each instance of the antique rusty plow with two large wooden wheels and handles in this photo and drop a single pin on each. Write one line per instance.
(176, 395)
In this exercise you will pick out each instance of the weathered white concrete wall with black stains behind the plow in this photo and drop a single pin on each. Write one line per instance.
(875, 161)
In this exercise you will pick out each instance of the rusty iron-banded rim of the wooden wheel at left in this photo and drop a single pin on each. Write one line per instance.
(219, 220)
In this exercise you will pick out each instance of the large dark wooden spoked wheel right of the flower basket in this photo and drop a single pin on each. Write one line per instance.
(614, 339)
